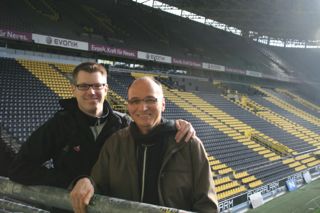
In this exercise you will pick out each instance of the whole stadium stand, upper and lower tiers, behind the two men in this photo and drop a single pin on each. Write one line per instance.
(256, 137)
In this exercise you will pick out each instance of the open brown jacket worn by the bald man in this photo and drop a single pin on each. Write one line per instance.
(184, 180)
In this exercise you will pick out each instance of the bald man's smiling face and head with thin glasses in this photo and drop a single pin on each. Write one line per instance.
(145, 104)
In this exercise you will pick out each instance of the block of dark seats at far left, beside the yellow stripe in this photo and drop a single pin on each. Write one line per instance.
(26, 106)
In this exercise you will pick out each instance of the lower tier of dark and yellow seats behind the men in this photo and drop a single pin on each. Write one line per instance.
(251, 141)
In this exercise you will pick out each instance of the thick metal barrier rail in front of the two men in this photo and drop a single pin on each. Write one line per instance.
(59, 198)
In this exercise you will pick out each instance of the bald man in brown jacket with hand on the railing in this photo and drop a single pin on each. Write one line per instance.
(144, 163)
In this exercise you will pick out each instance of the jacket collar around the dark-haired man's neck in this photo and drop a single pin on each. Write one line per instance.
(71, 105)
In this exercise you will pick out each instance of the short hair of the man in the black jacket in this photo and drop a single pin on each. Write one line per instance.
(89, 67)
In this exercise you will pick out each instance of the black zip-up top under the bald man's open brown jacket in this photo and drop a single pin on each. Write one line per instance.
(150, 149)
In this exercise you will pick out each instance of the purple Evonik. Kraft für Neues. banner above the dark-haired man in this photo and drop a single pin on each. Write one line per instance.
(113, 51)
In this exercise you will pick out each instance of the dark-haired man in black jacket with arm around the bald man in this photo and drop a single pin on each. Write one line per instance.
(68, 145)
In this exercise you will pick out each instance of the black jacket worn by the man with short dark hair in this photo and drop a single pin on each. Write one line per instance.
(66, 144)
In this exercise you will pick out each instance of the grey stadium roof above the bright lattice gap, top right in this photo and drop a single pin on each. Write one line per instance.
(294, 19)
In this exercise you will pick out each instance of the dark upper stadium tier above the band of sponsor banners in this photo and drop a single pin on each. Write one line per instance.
(143, 28)
